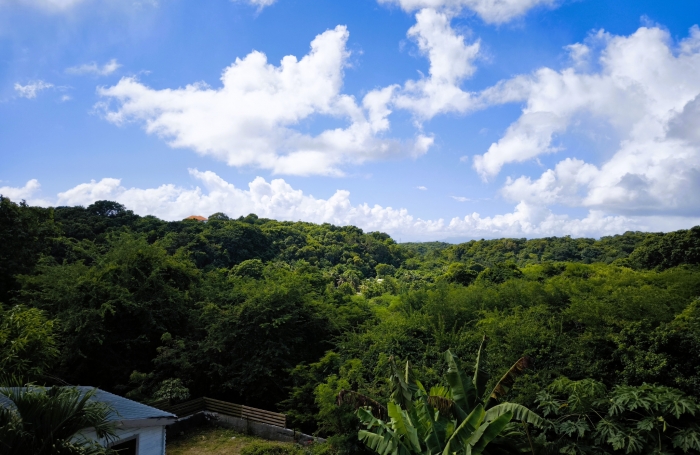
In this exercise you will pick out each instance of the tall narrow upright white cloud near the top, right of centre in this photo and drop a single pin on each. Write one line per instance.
(451, 61)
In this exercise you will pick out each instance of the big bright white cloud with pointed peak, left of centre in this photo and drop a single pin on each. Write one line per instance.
(250, 120)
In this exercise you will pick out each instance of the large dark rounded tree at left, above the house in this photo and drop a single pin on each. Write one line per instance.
(113, 312)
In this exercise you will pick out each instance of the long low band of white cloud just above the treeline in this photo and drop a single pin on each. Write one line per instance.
(277, 199)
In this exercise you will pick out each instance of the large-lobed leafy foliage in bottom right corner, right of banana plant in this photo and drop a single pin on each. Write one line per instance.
(587, 418)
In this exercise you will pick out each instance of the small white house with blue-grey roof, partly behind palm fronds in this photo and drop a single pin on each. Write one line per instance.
(140, 428)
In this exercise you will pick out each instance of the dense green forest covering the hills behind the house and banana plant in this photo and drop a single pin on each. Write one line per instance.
(286, 315)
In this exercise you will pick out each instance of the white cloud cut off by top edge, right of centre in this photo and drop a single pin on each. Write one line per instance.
(490, 11)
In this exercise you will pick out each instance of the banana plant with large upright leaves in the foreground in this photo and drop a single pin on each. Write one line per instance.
(459, 419)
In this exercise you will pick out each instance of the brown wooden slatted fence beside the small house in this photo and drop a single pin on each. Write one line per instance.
(226, 408)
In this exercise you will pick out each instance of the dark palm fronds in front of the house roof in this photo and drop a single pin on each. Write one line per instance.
(41, 421)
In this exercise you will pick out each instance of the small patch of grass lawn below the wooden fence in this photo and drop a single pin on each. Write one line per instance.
(211, 441)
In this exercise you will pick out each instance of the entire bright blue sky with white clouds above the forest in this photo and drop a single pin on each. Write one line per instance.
(426, 119)
